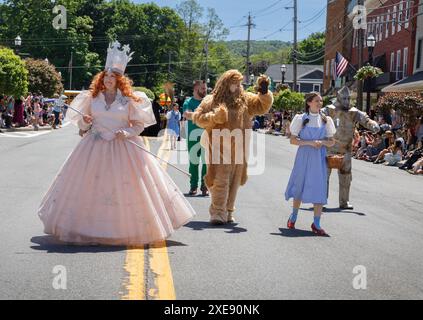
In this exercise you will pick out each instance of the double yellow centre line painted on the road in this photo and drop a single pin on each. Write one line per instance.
(150, 263)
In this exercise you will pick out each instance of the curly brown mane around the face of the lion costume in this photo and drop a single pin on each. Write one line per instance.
(222, 93)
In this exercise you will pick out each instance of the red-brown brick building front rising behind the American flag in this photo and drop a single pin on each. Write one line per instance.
(392, 22)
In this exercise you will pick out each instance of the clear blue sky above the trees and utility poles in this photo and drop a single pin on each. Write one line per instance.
(268, 22)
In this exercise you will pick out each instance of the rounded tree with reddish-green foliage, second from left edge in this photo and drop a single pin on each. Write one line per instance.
(43, 78)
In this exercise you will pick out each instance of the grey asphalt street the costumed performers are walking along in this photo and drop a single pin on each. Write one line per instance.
(257, 258)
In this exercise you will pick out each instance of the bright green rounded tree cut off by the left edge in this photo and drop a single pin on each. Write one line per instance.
(13, 74)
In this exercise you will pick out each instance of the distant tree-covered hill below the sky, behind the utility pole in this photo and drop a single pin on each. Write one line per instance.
(239, 47)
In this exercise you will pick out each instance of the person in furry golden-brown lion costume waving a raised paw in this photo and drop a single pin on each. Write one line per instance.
(226, 115)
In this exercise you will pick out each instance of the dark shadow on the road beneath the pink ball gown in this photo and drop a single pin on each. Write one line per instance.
(50, 244)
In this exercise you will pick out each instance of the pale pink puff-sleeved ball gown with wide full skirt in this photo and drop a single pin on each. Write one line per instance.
(109, 191)
